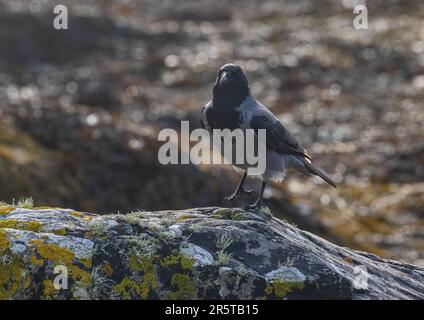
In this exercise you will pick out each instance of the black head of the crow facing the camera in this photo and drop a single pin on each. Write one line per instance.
(231, 84)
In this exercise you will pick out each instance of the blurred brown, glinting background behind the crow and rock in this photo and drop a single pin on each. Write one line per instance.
(80, 108)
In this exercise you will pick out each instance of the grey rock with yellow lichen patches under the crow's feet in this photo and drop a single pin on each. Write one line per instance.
(213, 253)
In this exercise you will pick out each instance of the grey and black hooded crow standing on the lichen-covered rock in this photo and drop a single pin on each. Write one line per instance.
(234, 107)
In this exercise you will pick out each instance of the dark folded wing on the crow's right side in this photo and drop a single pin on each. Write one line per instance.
(278, 138)
